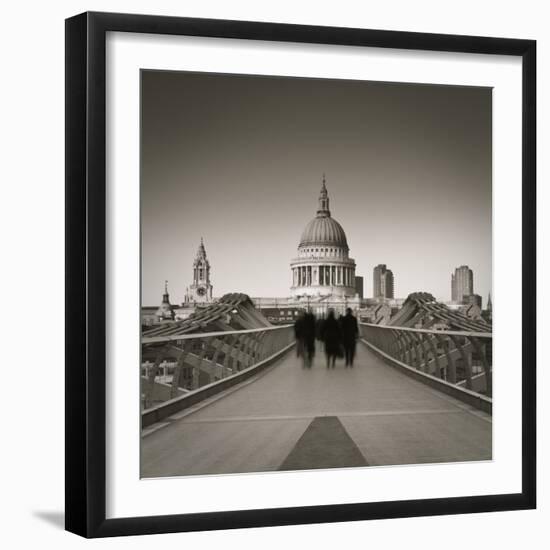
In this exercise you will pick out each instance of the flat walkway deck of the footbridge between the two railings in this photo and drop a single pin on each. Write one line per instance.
(291, 418)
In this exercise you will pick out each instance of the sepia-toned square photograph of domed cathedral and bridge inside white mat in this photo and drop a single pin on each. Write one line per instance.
(316, 274)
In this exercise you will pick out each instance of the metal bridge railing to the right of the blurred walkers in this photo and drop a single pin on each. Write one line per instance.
(460, 358)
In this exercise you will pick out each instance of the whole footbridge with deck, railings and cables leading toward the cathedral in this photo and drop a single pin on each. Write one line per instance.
(224, 392)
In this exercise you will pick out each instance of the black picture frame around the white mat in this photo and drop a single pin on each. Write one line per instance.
(86, 285)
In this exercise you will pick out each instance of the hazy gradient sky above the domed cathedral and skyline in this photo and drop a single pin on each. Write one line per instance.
(239, 160)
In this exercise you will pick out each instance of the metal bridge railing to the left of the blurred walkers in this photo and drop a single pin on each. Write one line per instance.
(175, 366)
